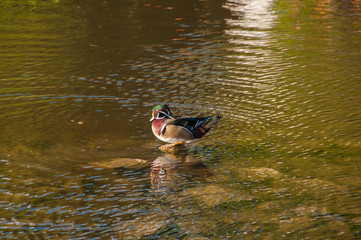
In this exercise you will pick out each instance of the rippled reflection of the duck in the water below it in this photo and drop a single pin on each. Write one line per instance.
(169, 171)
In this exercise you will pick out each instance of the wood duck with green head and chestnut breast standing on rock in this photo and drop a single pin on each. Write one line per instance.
(179, 130)
